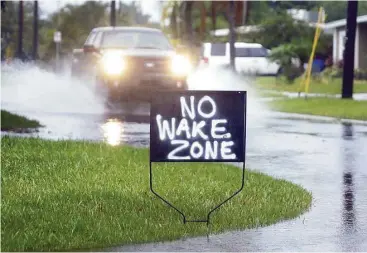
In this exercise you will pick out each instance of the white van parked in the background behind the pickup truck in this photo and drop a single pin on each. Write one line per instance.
(250, 58)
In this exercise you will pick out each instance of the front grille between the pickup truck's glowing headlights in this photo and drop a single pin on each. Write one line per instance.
(148, 65)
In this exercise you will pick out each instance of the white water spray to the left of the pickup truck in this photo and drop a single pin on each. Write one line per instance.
(27, 87)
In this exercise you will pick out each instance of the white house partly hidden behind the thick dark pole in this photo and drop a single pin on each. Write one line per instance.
(338, 29)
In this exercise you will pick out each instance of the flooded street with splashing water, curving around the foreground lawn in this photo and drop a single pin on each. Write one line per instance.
(328, 159)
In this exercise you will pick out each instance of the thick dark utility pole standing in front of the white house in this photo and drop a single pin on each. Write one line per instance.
(348, 68)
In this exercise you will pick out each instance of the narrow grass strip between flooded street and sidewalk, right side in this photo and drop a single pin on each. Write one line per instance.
(332, 107)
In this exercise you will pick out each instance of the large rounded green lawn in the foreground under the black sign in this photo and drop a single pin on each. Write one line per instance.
(65, 196)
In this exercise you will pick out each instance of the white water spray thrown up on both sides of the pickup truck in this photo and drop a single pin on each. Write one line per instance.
(29, 88)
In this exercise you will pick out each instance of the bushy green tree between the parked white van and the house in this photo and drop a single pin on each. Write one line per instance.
(289, 39)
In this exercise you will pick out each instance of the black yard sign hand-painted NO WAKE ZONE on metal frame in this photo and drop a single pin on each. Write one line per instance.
(197, 126)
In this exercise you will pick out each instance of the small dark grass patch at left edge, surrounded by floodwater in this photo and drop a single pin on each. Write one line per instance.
(10, 122)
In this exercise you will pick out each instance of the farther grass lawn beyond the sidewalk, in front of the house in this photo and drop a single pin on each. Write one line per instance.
(327, 87)
